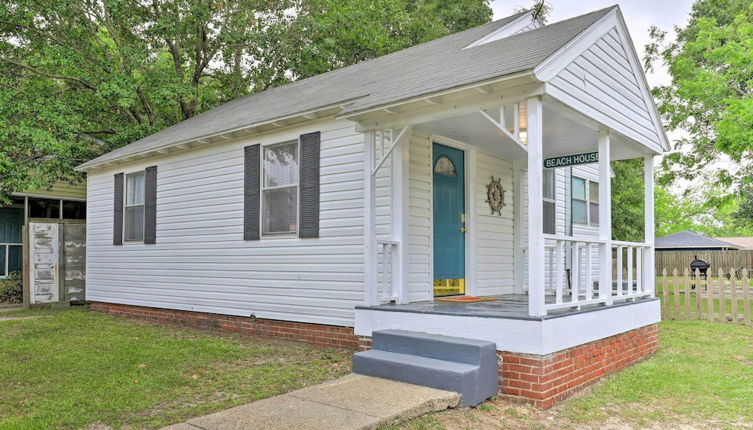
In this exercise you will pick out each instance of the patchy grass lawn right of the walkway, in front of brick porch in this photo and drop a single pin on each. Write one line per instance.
(701, 377)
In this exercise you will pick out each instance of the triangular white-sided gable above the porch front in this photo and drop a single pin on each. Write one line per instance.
(598, 73)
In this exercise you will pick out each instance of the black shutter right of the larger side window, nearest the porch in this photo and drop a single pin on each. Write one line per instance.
(309, 205)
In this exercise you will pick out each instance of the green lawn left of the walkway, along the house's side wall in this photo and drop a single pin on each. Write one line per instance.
(70, 368)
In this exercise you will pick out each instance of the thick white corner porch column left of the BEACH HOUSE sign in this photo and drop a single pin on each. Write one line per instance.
(536, 276)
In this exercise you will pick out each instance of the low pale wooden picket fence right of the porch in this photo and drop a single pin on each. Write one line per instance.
(724, 296)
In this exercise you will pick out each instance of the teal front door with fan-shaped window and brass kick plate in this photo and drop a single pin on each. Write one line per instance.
(449, 221)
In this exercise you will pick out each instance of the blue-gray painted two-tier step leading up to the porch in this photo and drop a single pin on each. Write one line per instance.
(466, 366)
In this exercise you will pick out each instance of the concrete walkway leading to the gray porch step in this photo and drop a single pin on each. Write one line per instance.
(349, 403)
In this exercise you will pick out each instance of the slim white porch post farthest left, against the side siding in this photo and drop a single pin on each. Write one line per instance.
(369, 222)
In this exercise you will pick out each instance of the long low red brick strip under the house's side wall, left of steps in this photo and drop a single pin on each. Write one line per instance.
(315, 334)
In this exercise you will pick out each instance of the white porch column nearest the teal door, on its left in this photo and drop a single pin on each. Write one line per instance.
(400, 215)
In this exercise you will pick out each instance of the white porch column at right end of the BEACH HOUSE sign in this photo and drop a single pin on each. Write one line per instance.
(605, 217)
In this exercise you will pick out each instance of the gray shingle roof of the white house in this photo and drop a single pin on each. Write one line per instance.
(420, 70)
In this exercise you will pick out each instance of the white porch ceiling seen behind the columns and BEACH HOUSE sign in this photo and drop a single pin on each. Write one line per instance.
(565, 132)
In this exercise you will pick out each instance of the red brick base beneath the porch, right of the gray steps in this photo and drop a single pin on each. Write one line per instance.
(545, 380)
